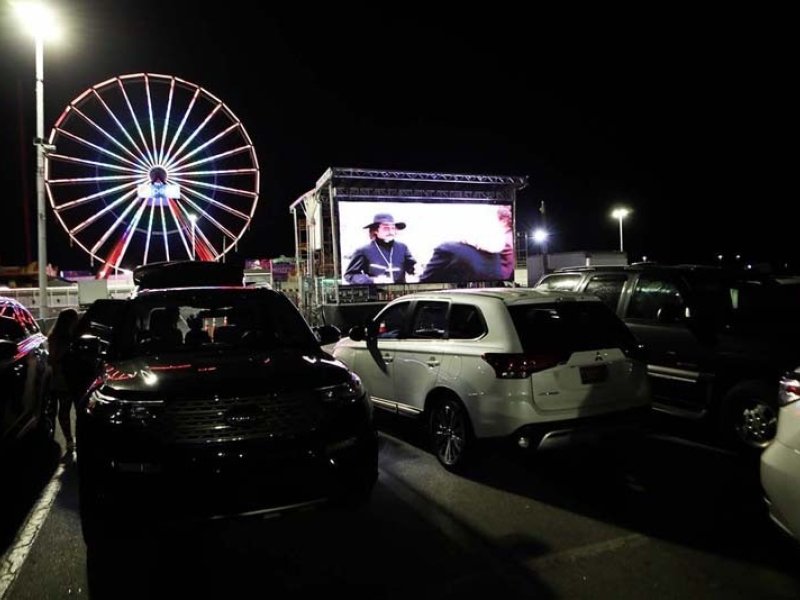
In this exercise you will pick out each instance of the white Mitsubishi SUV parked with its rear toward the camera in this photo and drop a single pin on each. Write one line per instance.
(538, 367)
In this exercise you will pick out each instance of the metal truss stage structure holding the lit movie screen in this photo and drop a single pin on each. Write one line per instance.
(345, 270)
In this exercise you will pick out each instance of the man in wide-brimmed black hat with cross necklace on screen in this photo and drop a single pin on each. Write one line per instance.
(383, 259)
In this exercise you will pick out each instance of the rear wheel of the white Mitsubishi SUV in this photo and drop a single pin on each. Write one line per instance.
(450, 434)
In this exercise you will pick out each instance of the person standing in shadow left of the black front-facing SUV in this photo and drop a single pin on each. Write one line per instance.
(58, 340)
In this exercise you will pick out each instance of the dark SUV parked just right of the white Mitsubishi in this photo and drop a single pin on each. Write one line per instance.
(716, 342)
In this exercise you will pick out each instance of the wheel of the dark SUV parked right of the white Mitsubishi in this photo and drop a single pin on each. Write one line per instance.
(750, 415)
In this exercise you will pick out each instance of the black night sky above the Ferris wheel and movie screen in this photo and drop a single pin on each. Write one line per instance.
(682, 116)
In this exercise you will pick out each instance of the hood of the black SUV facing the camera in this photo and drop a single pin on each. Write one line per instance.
(228, 374)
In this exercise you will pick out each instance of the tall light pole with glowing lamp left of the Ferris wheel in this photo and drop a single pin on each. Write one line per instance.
(39, 20)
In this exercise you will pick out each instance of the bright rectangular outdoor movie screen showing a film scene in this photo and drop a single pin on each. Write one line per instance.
(425, 242)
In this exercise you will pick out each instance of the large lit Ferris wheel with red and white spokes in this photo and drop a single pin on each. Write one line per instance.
(148, 168)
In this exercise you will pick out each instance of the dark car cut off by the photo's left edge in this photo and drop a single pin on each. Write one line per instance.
(24, 402)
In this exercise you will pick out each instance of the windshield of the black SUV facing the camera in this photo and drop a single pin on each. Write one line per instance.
(212, 320)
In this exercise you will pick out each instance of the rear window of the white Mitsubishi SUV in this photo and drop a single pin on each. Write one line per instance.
(569, 327)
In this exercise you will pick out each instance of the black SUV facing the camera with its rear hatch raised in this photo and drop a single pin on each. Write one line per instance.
(212, 401)
